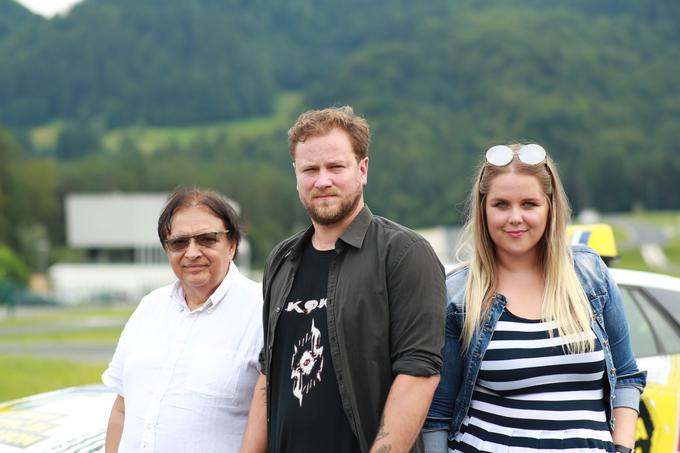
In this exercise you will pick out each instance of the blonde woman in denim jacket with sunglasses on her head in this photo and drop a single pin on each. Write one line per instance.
(537, 354)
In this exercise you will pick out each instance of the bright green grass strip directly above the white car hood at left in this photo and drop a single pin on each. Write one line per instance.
(23, 376)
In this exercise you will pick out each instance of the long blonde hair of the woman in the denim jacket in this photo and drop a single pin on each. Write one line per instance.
(564, 300)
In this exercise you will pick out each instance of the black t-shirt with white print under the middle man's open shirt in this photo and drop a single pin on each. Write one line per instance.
(306, 413)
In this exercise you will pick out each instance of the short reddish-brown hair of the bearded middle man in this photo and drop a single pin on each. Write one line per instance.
(314, 123)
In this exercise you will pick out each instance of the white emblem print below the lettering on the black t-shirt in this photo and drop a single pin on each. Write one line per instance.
(307, 363)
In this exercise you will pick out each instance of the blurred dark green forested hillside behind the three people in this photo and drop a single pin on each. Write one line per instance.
(439, 82)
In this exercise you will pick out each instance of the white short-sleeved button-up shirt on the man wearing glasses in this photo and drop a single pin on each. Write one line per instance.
(188, 376)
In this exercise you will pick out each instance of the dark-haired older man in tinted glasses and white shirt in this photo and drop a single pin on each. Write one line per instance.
(186, 362)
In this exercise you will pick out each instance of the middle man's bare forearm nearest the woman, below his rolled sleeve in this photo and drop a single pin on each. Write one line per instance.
(404, 413)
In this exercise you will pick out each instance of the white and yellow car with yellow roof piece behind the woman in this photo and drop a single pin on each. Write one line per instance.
(652, 304)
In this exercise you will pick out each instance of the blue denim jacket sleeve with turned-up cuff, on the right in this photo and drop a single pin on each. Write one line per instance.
(630, 381)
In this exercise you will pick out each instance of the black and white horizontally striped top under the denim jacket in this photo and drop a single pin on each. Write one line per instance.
(531, 395)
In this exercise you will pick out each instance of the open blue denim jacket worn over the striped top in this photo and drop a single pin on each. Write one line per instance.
(459, 372)
